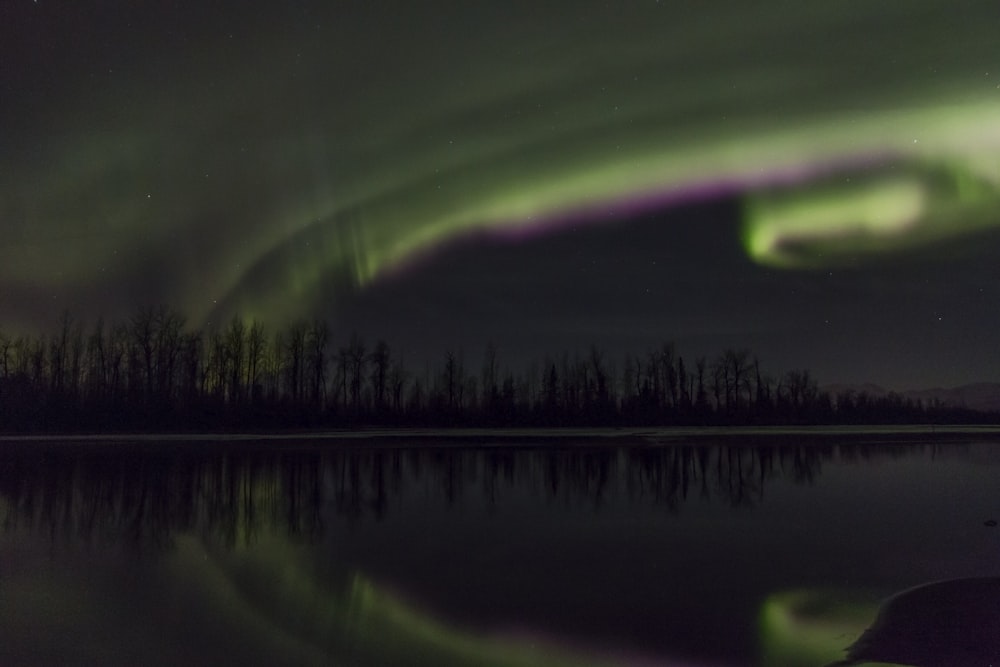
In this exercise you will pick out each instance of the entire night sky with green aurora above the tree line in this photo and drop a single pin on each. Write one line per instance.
(817, 181)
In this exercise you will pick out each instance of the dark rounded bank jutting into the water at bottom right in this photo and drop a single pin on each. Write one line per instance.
(953, 623)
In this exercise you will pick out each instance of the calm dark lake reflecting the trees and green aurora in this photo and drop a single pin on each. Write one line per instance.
(666, 548)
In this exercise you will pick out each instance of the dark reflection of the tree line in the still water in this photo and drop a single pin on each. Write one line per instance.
(134, 496)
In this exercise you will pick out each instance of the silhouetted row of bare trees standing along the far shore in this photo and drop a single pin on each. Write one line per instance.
(152, 372)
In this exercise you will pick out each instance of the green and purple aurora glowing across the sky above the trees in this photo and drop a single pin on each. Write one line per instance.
(261, 173)
